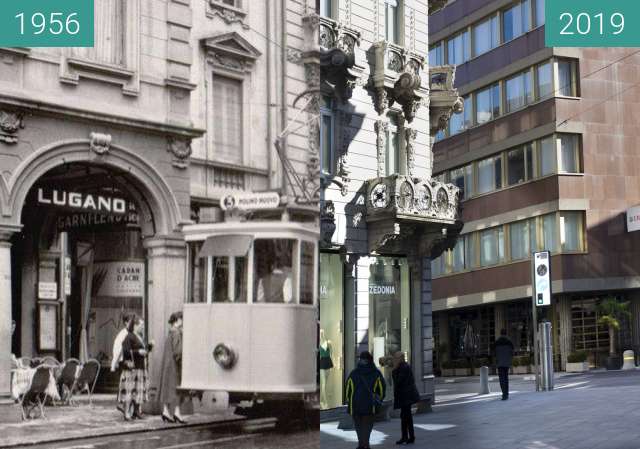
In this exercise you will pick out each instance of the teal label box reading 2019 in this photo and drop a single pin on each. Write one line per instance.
(592, 23)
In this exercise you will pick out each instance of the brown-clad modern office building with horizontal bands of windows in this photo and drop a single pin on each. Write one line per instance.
(545, 154)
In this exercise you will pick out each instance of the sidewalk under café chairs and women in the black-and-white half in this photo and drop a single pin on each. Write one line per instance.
(100, 419)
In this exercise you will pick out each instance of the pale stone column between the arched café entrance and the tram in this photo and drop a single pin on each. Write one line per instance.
(166, 289)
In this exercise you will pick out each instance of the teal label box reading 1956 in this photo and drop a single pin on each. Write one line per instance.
(46, 23)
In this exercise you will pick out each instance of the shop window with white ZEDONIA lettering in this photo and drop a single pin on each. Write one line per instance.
(389, 312)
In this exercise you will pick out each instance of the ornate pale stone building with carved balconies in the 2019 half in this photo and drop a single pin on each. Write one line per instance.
(382, 214)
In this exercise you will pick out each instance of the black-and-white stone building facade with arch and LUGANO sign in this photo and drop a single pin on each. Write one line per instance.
(107, 153)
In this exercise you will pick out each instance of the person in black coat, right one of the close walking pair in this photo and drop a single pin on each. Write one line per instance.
(405, 394)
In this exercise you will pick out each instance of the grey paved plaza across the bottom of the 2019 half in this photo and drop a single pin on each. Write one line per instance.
(589, 411)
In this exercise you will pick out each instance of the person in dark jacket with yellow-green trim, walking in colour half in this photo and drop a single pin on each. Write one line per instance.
(365, 392)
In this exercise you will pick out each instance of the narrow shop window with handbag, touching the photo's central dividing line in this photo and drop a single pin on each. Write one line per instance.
(330, 356)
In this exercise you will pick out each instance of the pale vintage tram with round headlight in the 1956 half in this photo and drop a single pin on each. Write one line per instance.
(250, 322)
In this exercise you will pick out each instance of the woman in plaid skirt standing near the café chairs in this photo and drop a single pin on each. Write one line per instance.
(133, 380)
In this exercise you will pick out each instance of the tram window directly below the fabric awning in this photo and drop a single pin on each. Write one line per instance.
(228, 279)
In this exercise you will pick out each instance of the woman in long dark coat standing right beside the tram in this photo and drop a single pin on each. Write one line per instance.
(170, 376)
